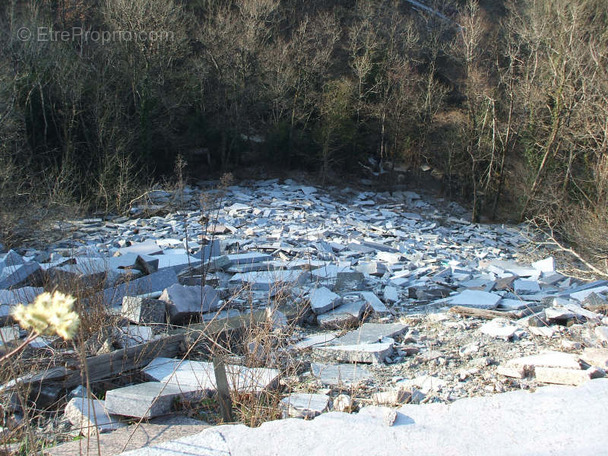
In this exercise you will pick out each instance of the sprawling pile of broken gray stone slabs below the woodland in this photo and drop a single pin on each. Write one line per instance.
(380, 299)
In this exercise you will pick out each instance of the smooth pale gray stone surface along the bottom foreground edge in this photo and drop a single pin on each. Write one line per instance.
(552, 421)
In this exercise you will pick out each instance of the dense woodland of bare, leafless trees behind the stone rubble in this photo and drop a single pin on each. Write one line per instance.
(507, 102)
